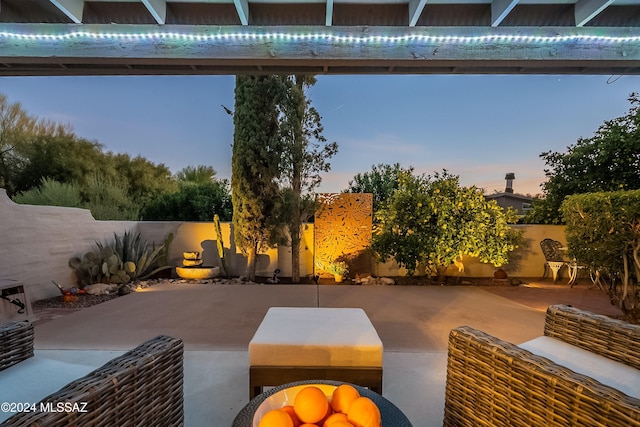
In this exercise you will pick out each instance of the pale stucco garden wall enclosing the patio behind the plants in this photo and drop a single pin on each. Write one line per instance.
(38, 241)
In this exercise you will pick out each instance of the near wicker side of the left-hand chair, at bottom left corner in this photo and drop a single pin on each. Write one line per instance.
(143, 387)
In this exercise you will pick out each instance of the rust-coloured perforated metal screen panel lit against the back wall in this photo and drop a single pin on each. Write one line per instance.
(343, 229)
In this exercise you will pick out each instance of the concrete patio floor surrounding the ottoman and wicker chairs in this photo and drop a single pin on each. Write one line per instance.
(216, 323)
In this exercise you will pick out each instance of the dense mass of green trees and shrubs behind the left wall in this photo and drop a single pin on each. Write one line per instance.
(41, 161)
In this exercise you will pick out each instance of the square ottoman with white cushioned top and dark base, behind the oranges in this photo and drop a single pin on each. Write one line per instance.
(296, 344)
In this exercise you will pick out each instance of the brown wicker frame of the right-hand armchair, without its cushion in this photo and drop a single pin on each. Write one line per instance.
(493, 382)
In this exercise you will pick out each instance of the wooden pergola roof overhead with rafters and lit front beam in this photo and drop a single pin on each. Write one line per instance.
(136, 37)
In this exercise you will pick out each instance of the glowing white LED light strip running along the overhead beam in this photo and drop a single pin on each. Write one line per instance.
(331, 38)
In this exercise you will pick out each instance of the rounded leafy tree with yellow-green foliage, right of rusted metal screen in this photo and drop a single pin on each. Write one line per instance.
(432, 221)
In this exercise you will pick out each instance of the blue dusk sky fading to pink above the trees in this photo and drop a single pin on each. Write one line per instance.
(477, 127)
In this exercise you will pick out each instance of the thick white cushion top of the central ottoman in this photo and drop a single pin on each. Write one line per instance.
(291, 336)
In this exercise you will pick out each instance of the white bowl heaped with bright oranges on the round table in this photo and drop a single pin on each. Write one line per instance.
(317, 405)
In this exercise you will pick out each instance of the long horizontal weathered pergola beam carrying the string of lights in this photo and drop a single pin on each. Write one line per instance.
(176, 49)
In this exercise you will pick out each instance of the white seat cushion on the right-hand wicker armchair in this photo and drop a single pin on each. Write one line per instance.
(614, 374)
